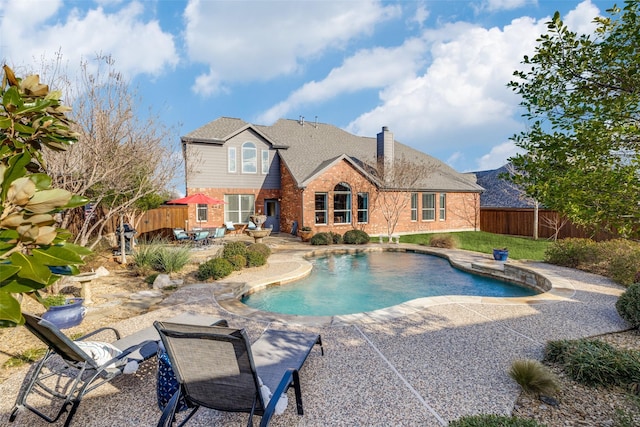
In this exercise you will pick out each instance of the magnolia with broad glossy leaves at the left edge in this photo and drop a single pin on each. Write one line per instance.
(32, 119)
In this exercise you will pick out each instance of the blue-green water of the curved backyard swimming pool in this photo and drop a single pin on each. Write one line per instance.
(353, 283)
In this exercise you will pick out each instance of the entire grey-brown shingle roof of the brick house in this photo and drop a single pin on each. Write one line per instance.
(307, 148)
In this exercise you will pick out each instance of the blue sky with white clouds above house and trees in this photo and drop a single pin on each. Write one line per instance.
(434, 72)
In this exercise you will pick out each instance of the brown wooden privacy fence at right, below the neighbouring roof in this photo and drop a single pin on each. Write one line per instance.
(519, 222)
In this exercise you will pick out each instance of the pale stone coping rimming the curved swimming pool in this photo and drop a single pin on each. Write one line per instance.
(229, 292)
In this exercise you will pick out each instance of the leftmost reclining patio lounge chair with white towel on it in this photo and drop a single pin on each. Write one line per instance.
(70, 369)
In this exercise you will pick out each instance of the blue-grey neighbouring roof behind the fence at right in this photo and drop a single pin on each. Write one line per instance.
(500, 193)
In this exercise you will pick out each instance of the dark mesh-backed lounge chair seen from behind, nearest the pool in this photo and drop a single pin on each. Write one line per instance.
(217, 368)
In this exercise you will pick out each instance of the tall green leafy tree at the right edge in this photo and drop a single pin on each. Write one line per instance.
(581, 94)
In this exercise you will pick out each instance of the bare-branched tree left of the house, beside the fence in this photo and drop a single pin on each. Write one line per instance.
(122, 158)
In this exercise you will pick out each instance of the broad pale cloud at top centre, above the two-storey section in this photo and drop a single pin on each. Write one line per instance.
(247, 41)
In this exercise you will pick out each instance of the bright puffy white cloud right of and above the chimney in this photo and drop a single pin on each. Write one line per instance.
(463, 88)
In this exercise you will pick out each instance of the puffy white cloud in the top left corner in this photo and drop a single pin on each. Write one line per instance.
(137, 45)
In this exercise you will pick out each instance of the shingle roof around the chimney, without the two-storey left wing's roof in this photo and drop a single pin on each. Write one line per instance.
(311, 145)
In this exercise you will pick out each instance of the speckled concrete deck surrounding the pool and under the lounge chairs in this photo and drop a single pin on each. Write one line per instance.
(424, 363)
